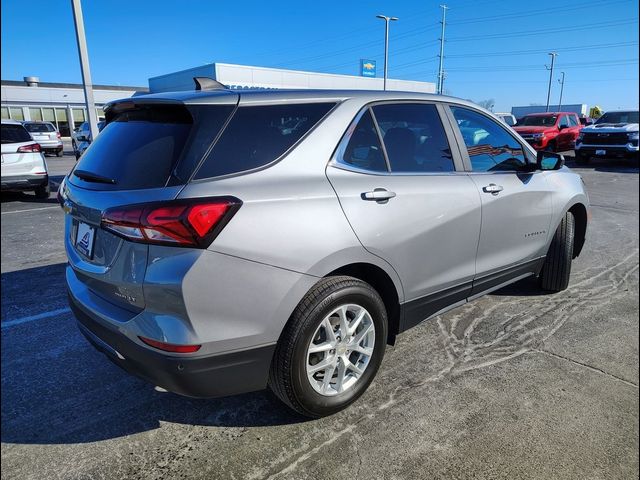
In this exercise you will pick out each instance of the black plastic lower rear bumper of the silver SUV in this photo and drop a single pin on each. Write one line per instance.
(201, 377)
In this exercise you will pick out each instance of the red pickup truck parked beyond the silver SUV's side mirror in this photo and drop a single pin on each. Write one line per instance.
(555, 131)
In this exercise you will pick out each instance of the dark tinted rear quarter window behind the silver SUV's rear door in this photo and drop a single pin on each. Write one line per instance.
(257, 136)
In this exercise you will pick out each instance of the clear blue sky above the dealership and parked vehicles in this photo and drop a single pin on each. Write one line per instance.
(494, 49)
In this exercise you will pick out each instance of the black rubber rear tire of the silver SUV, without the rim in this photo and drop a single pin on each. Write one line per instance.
(287, 376)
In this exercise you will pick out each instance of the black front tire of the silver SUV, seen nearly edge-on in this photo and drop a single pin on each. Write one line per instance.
(557, 265)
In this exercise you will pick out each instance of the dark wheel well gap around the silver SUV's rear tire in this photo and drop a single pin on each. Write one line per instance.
(382, 283)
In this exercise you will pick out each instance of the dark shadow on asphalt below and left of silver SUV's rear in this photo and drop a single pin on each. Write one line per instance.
(57, 389)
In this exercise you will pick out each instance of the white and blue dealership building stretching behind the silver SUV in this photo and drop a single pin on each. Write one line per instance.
(63, 103)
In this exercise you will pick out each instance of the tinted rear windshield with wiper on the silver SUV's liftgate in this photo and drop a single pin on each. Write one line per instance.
(140, 147)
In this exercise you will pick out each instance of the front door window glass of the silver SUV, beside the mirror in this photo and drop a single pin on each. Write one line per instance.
(490, 146)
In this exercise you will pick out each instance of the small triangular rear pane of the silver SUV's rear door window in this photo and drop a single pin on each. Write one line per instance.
(363, 149)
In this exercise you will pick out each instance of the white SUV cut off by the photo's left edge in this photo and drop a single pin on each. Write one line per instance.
(23, 165)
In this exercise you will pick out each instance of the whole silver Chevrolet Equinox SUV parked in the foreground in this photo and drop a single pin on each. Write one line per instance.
(222, 242)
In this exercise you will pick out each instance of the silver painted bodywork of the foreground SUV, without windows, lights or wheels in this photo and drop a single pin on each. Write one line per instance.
(302, 217)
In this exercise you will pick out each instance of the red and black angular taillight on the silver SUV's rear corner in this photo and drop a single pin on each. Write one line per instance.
(186, 223)
